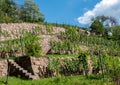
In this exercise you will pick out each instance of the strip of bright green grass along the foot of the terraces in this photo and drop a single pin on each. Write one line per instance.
(69, 80)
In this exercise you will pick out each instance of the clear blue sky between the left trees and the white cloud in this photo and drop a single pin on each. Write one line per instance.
(64, 11)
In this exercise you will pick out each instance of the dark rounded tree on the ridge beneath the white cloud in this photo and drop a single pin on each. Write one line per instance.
(102, 25)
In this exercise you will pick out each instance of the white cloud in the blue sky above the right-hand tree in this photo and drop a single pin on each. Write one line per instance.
(104, 7)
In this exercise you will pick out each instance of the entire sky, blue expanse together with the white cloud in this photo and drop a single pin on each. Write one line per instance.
(74, 12)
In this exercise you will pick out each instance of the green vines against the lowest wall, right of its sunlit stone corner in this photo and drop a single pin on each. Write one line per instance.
(65, 66)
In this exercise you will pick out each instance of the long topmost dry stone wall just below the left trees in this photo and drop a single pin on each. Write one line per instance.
(14, 30)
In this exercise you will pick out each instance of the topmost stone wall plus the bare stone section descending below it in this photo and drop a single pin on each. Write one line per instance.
(47, 33)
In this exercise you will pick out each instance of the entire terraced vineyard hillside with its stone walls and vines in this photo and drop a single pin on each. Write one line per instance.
(54, 50)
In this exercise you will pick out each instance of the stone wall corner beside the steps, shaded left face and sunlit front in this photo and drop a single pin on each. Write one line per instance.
(36, 66)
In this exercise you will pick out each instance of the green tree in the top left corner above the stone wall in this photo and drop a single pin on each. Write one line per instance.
(8, 11)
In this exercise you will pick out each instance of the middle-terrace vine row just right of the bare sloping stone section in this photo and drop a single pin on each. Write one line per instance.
(64, 47)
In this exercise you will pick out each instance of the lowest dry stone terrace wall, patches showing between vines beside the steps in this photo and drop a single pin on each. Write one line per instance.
(40, 67)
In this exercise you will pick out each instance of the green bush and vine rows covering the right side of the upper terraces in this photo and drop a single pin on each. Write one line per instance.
(71, 40)
